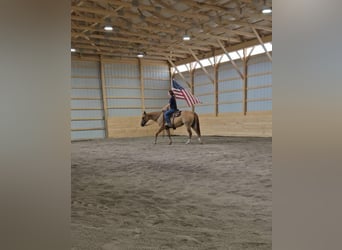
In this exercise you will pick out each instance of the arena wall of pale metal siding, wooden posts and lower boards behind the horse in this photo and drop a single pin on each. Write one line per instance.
(109, 96)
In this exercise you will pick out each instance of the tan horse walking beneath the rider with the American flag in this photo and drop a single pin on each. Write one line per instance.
(187, 118)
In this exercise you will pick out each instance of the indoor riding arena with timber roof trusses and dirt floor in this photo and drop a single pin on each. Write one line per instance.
(131, 190)
